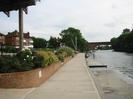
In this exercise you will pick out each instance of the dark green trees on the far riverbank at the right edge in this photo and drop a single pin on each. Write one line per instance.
(124, 42)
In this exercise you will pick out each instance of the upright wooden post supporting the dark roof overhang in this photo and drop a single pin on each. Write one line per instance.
(20, 29)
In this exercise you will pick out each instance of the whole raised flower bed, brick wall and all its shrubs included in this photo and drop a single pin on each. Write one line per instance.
(29, 69)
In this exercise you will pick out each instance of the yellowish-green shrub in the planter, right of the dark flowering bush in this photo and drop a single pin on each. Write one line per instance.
(48, 57)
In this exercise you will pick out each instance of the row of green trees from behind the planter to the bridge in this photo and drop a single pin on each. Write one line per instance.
(70, 37)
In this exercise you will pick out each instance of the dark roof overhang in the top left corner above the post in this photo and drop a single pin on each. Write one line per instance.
(9, 5)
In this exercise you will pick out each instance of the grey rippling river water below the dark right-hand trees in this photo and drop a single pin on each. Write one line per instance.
(120, 61)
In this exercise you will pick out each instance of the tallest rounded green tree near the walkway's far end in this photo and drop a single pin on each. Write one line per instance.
(73, 38)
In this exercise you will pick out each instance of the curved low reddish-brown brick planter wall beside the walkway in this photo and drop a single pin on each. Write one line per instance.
(29, 79)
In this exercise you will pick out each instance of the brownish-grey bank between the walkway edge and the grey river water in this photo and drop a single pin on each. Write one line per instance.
(112, 84)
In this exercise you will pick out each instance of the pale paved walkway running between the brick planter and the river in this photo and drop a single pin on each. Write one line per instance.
(72, 81)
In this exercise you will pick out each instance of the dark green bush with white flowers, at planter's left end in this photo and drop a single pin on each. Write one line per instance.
(23, 61)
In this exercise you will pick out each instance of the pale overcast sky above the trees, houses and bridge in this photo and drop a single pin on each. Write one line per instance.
(98, 20)
